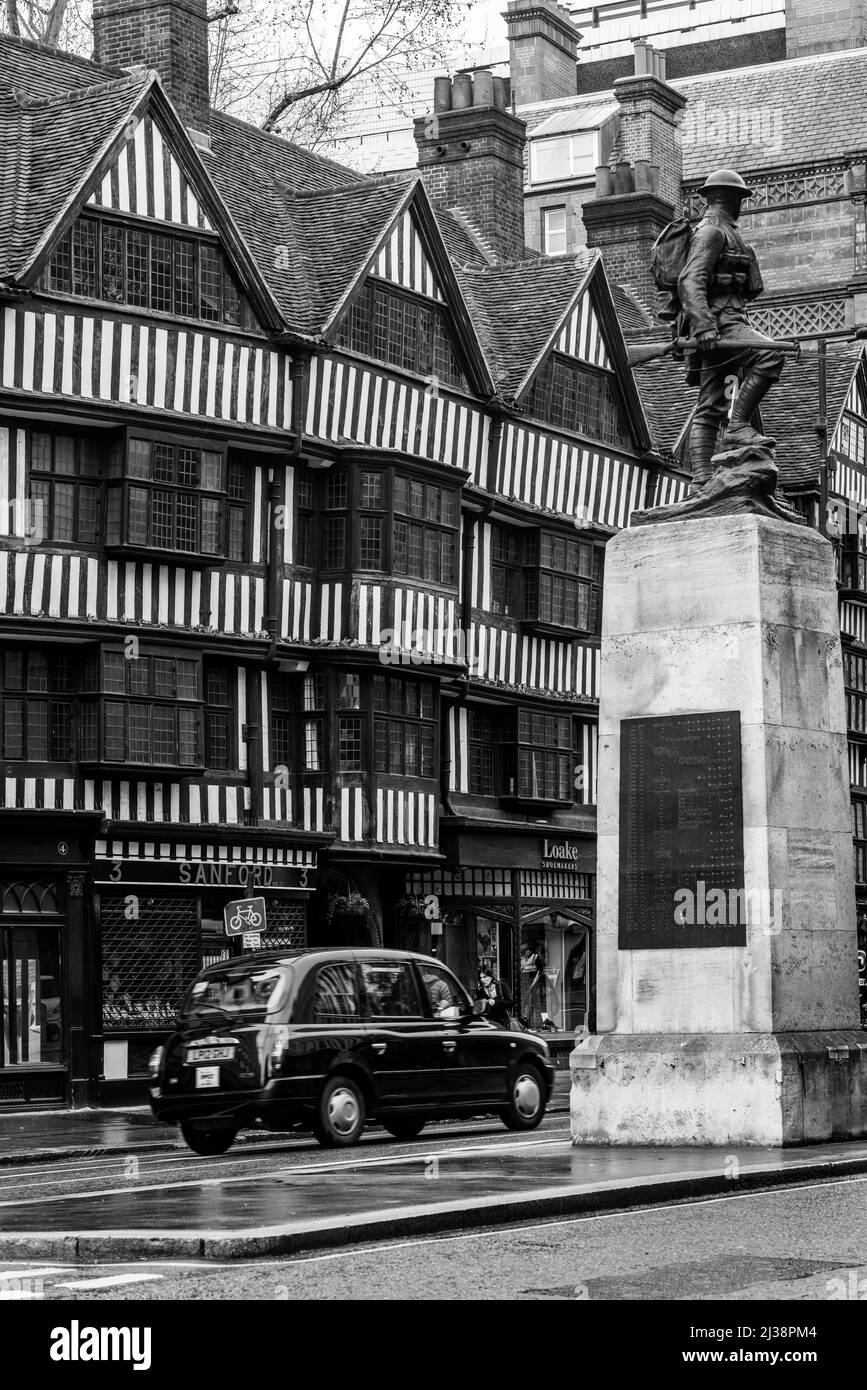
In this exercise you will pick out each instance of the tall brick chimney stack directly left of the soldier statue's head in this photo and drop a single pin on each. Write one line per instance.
(643, 193)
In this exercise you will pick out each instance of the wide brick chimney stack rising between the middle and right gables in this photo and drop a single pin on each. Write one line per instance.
(472, 158)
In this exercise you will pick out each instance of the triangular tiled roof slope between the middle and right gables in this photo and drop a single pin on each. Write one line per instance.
(518, 308)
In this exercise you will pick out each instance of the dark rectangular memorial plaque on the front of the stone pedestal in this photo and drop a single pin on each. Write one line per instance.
(682, 833)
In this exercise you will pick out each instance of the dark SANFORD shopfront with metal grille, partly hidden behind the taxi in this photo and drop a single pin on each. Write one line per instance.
(159, 918)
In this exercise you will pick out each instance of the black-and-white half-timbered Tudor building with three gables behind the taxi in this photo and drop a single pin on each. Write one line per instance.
(297, 598)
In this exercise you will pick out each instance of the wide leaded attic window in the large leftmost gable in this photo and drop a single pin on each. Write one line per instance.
(172, 275)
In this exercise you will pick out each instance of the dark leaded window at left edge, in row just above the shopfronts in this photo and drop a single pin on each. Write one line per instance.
(38, 705)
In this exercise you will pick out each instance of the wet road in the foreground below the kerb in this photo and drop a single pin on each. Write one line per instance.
(804, 1243)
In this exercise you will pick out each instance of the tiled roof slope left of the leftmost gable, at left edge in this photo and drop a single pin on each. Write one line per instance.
(48, 148)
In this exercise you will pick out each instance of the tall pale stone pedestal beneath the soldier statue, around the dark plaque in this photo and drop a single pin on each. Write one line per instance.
(732, 1045)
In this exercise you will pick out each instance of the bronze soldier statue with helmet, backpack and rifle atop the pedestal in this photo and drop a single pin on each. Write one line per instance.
(715, 288)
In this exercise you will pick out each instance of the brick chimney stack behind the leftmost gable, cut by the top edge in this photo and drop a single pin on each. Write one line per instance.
(167, 35)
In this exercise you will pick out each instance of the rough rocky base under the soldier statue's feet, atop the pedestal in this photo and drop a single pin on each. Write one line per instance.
(744, 483)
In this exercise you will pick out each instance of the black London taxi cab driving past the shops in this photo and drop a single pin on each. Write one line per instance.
(330, 1039)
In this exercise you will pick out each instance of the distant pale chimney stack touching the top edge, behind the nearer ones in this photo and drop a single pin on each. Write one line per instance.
(543, 51)
